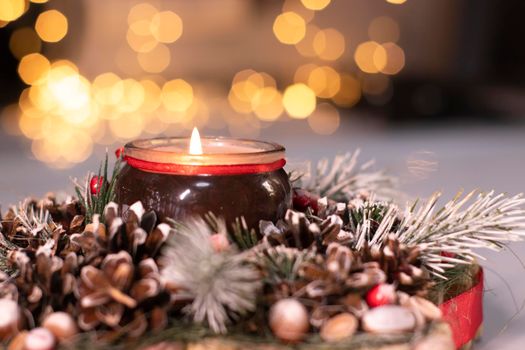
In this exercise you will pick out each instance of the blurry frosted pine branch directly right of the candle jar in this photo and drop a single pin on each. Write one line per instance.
(344, 178)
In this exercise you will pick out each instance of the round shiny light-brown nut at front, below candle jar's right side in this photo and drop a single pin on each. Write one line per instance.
(289, 320)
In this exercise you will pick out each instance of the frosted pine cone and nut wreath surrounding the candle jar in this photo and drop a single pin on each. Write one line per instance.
(346, 268)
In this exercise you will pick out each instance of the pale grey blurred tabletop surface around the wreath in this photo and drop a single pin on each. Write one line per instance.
(462, 157)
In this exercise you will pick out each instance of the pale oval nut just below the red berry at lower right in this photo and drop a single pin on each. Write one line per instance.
(389, 319)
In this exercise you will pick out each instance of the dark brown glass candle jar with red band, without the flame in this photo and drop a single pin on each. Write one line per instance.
(232, 178)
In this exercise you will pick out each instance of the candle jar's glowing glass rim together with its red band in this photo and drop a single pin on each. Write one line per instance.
(155, 155)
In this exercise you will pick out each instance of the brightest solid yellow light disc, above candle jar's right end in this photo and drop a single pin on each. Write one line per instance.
(299, 101)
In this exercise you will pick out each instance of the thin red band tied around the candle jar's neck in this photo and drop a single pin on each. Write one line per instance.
(183, 169)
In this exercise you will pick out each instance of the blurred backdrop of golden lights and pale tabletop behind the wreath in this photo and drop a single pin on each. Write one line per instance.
(433, 90)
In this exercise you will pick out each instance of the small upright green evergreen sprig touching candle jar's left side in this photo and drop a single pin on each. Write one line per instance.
(94, 204)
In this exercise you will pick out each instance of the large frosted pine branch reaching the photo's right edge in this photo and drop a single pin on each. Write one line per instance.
(477, 220)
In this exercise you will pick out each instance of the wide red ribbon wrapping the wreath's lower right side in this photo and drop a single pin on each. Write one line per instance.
(464, 313)
